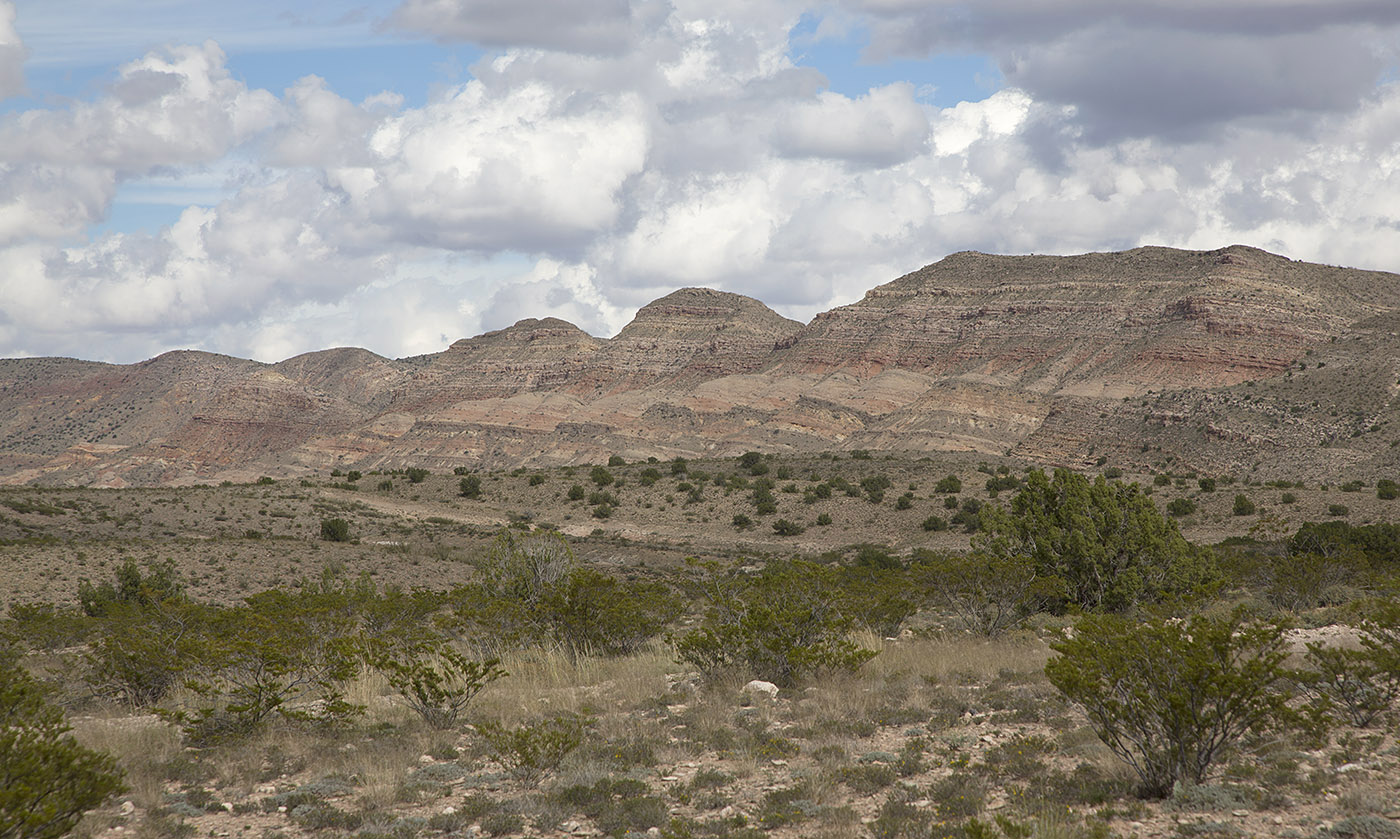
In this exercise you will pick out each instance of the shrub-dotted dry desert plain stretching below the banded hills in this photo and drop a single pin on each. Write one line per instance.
(841, 645)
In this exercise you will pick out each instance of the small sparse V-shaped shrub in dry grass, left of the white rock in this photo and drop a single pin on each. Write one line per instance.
(435, 684)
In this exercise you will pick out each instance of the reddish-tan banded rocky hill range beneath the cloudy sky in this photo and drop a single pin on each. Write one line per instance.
(1219, 361)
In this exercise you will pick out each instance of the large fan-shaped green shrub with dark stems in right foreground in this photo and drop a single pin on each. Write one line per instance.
(1170, 697)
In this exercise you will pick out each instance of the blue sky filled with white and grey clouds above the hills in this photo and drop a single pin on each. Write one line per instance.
(400, 174)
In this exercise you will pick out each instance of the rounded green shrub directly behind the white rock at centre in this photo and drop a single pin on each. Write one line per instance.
(779, 625)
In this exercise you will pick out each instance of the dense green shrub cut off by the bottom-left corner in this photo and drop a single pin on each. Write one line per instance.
(47, 779)
